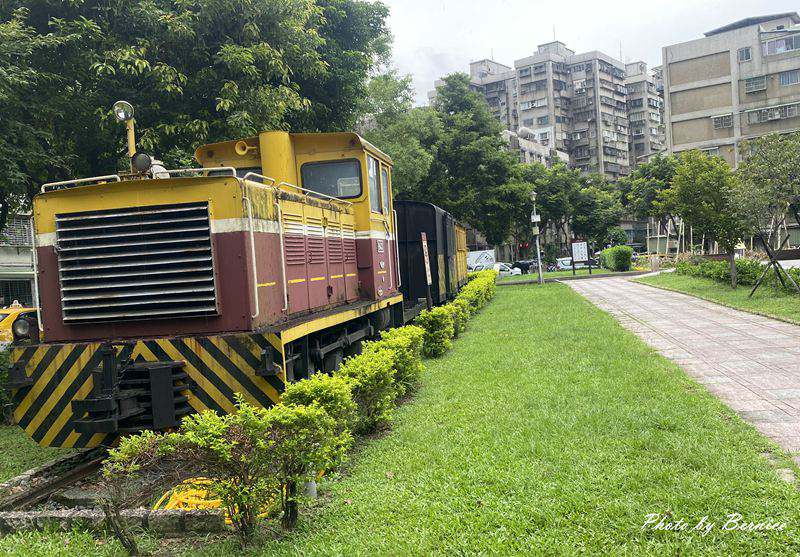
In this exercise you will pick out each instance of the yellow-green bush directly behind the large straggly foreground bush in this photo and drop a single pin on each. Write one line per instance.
(332, 394)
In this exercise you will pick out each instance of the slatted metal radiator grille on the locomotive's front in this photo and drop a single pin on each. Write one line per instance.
(136, 263)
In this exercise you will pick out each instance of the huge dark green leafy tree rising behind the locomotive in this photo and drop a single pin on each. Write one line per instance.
(197, 71)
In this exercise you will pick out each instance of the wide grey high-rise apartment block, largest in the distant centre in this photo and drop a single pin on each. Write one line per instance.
(559, 105)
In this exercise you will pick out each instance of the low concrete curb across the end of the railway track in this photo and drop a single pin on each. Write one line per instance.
(167, 523)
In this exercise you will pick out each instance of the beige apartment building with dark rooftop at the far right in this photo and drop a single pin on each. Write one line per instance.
(737, 82)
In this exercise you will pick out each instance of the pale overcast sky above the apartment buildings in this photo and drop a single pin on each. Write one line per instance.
(435, 37)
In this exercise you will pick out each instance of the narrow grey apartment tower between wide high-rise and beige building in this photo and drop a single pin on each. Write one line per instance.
(645, 112)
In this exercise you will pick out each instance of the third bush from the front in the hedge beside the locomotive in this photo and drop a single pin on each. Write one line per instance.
(371, 378)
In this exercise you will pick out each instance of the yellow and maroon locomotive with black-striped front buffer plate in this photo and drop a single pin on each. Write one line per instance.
(167, 292)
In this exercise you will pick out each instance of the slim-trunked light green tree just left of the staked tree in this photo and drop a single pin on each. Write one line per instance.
(704, 194)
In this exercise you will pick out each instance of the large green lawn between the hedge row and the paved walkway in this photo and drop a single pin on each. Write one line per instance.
(547, 430)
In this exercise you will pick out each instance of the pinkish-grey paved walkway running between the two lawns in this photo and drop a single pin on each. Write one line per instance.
(751, 363)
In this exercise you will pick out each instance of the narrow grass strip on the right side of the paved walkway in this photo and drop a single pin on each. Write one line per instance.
(766, 301)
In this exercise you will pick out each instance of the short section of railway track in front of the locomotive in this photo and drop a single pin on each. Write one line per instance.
(51, 478)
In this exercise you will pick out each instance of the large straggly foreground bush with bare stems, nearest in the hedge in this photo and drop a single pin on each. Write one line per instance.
(247, 459)
